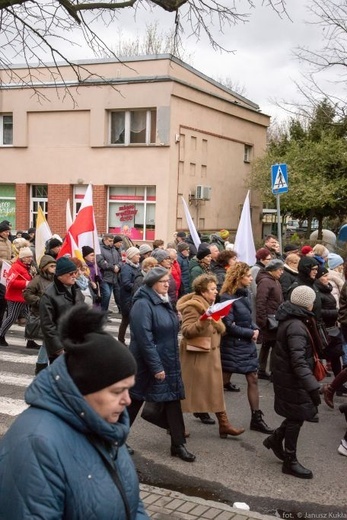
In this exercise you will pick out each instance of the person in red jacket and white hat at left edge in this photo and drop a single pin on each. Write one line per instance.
(20, 274)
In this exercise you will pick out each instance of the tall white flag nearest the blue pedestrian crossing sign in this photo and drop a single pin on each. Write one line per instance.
(244, 242)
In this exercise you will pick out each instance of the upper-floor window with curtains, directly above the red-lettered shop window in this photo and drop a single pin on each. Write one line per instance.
(133, 127)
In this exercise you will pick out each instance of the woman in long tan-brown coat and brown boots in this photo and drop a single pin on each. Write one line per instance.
(200, 356)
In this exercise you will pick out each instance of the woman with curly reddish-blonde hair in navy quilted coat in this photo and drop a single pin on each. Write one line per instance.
(238, 345)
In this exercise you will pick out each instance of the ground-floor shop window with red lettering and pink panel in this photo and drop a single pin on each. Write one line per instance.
(132, 211)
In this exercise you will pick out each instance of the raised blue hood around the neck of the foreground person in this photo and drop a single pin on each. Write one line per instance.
(53, 390)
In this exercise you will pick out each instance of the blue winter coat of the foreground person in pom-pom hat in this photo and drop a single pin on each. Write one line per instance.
(48, 467)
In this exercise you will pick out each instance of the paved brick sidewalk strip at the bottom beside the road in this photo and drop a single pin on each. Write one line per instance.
(163, 504)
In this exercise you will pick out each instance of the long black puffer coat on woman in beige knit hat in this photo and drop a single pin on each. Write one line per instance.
(293, 364)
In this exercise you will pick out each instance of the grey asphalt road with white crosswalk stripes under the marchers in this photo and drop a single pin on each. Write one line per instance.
(230, 470)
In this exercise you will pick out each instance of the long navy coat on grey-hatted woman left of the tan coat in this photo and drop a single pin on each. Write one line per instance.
(154, 344)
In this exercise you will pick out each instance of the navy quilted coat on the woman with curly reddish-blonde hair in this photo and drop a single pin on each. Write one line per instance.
(238, 350)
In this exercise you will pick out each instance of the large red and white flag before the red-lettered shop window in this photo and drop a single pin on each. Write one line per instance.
(82, 231)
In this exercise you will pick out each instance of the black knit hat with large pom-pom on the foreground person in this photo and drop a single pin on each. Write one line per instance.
(94, 358)
